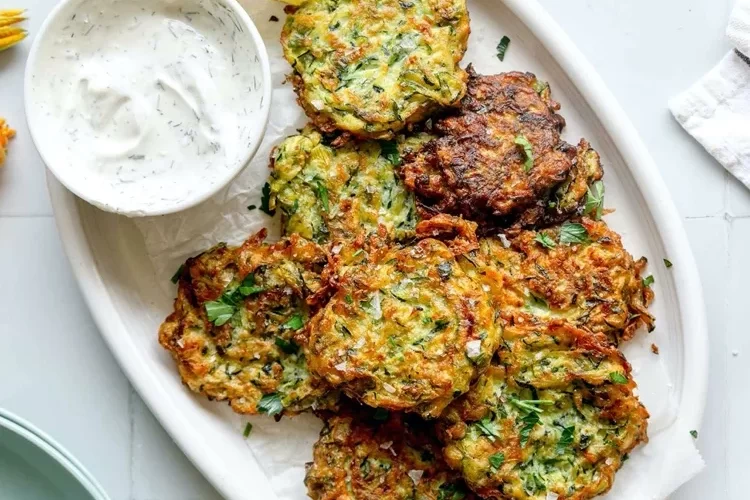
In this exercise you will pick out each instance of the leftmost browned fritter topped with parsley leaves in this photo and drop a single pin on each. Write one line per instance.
(236, 312)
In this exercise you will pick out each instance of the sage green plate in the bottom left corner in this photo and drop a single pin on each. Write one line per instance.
(34, 467)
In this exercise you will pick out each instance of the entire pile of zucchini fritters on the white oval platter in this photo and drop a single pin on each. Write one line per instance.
(445, 366)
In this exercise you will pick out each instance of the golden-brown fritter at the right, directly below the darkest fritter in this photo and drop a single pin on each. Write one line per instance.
(578, 271)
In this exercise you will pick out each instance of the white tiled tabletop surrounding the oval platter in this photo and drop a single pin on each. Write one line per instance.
(63, 379)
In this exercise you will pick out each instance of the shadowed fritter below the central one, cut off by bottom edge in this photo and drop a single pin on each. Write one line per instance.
(376, 455)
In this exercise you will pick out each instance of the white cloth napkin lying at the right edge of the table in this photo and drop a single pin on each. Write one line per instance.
(716, 110)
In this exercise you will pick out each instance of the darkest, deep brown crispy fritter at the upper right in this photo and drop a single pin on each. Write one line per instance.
(499, 158)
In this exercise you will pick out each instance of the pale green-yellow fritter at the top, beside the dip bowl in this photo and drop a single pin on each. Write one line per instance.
(371, 68)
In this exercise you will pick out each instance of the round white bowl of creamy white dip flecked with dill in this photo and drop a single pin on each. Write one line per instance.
(147, 107)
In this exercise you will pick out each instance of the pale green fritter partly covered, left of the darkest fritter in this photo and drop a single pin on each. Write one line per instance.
(328, 193)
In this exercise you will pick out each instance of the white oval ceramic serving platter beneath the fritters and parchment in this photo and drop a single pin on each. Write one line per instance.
(109, 259)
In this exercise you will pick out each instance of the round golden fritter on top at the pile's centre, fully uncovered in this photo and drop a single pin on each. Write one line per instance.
(406, 329)
